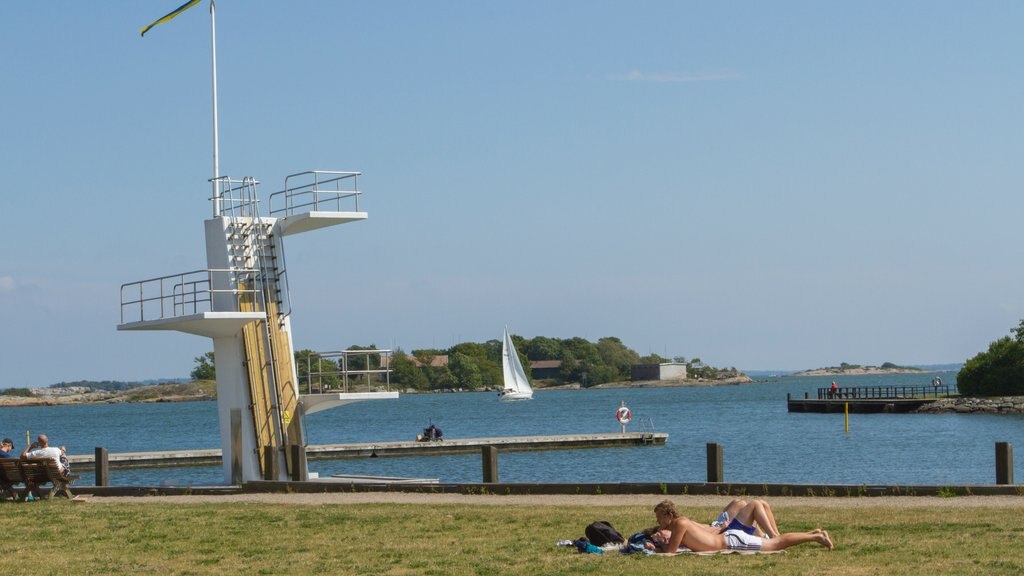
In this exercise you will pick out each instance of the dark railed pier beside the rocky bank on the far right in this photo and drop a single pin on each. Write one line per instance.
(865, 400)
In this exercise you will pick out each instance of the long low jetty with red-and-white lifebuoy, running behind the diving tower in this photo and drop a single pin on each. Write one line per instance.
(376, 449)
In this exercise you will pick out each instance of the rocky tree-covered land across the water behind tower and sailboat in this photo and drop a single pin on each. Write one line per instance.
(574, 363)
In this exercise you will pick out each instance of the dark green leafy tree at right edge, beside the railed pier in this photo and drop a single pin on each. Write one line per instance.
(1000, 372)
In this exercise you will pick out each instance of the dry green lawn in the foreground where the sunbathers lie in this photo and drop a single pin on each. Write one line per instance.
(63, 538)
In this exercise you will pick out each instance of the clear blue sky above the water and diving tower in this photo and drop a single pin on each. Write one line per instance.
(760, 185)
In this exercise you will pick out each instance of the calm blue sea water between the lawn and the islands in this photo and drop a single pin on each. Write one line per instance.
(761, 441)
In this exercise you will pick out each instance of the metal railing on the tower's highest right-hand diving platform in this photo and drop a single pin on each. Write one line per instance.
(317, 190)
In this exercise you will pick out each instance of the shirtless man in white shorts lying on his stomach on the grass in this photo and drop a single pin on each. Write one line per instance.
(701, 538)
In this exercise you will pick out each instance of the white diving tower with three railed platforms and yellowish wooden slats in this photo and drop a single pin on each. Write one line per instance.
(241, 301)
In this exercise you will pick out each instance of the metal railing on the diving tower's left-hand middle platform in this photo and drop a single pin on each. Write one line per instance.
(183, 295)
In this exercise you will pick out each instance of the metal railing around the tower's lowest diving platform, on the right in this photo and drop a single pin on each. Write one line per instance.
(331, 372)
